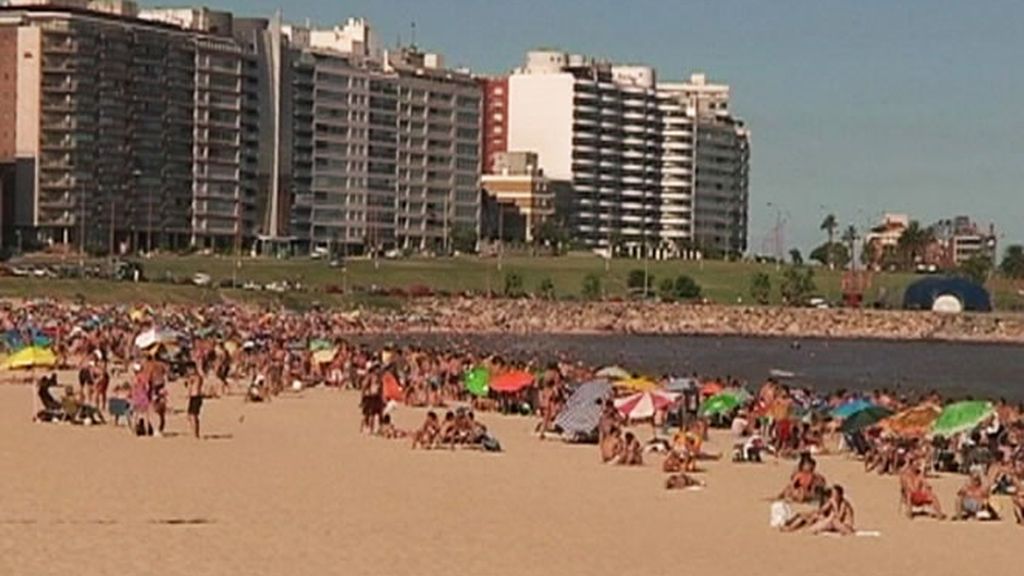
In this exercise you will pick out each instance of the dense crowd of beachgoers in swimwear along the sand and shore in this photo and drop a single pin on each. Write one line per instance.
(272, 353)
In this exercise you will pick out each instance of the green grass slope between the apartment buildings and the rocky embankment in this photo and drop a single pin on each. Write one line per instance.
(722, 282)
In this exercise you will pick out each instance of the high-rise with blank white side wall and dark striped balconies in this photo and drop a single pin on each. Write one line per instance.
(598, 127)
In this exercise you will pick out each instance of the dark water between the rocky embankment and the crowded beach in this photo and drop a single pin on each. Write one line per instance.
(957, 369)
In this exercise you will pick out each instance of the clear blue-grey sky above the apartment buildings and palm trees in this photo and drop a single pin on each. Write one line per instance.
(857, 108)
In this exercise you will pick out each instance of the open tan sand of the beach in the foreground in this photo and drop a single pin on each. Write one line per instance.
(292, 488)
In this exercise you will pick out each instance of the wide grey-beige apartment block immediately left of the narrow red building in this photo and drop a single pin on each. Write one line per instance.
(393, 143)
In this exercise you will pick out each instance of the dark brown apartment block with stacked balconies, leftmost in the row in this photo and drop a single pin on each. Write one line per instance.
(103, 126)
